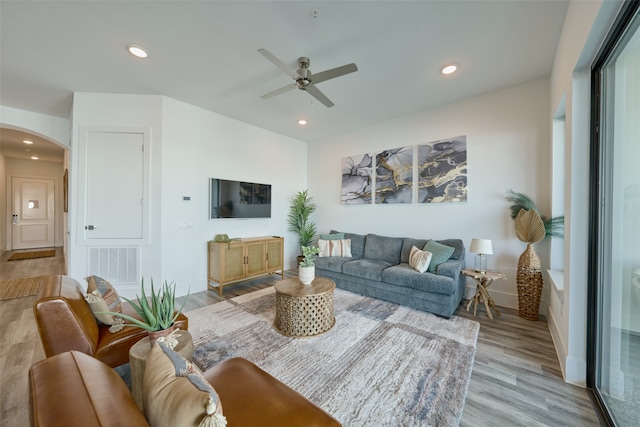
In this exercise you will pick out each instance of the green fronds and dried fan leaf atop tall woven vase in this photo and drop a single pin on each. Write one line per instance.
(553, 226)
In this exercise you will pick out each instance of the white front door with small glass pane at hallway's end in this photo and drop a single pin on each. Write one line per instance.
(33, 216)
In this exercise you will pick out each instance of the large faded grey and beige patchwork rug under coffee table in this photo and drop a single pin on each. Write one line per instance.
(381, 364)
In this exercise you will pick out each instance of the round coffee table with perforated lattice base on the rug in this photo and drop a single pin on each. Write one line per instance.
(304, 311)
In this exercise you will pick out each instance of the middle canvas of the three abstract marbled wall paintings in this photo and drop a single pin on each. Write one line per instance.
(394, 176)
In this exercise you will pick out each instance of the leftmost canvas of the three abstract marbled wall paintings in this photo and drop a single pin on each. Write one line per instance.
(356, 179)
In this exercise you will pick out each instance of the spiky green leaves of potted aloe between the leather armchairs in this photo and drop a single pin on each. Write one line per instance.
(157, 312)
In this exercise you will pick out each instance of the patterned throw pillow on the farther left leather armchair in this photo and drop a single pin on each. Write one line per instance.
(101, 297)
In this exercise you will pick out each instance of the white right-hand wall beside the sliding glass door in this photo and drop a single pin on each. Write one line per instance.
(584, 30)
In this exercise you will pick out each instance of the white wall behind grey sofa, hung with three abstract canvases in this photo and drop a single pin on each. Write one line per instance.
(508, 147)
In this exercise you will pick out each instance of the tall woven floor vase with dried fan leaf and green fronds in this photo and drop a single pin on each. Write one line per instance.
(531, 227)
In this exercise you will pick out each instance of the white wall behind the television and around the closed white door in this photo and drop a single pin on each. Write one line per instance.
(188, 146)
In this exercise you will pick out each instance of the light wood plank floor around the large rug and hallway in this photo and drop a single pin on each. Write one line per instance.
(516, 379)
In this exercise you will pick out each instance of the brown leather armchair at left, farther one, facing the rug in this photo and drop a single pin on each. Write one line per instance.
(65, 322)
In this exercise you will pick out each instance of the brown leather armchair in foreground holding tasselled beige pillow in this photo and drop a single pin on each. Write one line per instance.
(73, 389)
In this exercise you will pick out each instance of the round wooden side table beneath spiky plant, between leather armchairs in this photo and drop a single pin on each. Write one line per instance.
(138, 354)
